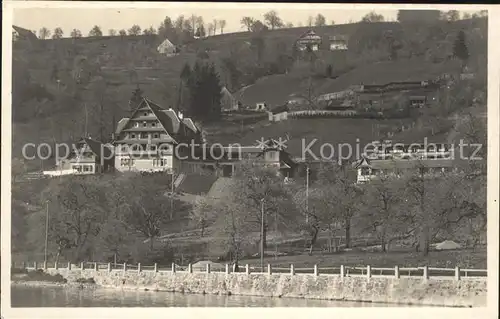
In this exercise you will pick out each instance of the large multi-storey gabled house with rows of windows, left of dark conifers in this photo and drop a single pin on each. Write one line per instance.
(146, 140)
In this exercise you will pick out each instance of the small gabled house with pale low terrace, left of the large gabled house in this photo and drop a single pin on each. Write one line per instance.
(87, 157)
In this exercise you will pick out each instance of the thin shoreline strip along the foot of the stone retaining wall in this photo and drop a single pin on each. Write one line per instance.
(48, 284)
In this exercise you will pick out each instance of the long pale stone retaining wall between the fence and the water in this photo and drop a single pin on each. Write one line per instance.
(433, 291)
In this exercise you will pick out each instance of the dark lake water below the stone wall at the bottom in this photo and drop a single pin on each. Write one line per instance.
(23, 296)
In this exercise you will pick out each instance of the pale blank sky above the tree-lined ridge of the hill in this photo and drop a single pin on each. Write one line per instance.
(123, 18)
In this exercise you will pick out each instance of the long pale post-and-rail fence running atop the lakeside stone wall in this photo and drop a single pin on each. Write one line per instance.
(344, 271)
